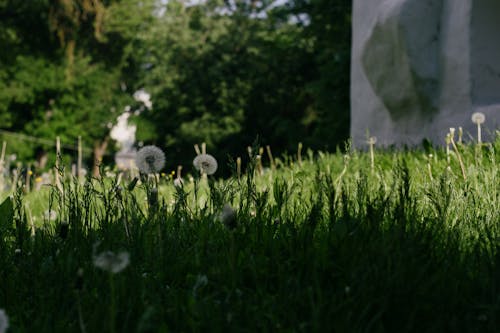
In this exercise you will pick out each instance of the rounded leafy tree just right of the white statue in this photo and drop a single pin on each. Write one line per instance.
(219, 74)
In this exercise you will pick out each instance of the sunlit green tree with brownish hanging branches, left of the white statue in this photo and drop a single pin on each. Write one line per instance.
(68, 78)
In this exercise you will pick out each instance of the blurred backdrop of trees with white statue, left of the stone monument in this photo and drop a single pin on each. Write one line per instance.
(120, 74)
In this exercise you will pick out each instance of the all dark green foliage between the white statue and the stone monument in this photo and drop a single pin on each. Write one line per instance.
(226, 79)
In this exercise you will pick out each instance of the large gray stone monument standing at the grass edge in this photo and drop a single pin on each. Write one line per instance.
(420, 67)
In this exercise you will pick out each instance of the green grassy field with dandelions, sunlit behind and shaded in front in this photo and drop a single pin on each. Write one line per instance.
(408, 242)
